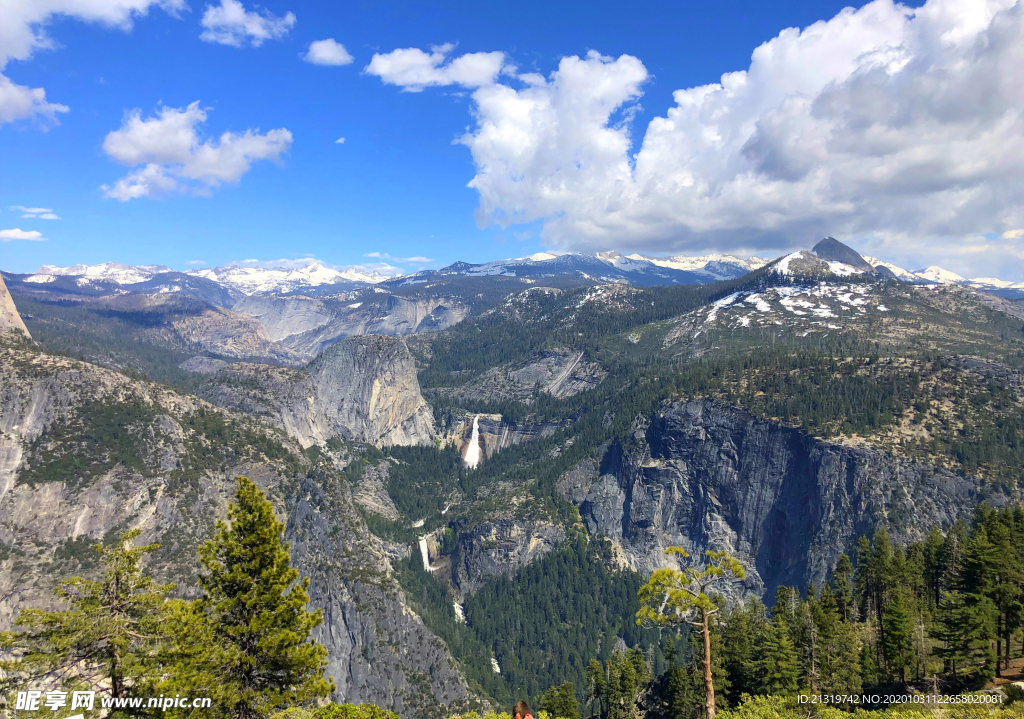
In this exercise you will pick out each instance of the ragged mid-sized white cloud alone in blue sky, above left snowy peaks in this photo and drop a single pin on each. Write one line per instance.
(170, 156)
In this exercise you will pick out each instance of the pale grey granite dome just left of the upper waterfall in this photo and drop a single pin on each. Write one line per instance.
(363, 389)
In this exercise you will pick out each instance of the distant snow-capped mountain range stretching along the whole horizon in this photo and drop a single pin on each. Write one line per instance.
(636, 270)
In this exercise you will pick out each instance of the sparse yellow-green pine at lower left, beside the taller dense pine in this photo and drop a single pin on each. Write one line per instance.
(113, 636)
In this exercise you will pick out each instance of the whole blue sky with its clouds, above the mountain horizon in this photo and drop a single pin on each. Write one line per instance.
(399, 183)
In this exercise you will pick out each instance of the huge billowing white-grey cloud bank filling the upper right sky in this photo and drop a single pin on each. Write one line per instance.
(894, 128)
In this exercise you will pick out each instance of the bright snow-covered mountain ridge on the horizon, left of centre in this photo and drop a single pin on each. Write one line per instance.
(284, 280)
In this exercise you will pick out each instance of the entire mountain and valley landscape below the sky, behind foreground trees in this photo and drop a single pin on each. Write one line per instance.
(458, 449)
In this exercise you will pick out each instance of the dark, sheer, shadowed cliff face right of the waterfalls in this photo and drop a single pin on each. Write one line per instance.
(705, 477)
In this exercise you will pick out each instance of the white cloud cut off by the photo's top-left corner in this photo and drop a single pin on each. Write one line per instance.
(23, 32)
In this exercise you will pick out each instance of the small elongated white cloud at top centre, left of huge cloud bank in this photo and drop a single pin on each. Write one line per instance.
(413, 70)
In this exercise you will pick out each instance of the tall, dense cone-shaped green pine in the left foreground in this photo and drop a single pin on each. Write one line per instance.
(247, 639)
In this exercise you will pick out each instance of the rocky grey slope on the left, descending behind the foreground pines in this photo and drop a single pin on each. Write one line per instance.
(172, 475)
